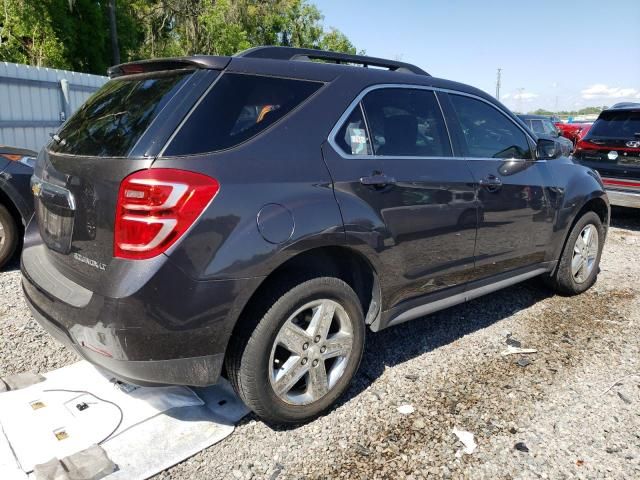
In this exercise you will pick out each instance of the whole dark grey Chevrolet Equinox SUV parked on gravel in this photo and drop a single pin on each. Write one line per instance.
(258, 213)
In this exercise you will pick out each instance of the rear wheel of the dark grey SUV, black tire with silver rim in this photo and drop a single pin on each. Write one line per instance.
(303, 353)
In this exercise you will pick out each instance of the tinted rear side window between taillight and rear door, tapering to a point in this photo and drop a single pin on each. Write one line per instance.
(237, 108)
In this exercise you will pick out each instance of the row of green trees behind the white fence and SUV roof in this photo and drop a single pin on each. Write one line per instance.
(82, 34)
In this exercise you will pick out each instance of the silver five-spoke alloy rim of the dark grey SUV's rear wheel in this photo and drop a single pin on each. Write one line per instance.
(310, 352)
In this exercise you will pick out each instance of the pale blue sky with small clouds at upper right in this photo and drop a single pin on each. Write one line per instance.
(554, 54)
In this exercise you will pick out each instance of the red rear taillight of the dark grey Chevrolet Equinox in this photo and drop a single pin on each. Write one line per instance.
(156, 207)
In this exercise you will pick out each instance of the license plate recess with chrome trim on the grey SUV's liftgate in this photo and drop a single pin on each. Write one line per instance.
(55, 211)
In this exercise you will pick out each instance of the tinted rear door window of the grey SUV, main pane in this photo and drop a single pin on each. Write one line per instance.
(406, 122)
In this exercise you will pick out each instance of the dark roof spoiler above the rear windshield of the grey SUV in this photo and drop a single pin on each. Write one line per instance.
(163, 64)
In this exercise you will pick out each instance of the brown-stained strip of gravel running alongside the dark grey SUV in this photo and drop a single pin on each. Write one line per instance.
(488, 394)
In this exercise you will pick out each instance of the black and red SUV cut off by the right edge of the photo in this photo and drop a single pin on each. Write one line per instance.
(612, 146)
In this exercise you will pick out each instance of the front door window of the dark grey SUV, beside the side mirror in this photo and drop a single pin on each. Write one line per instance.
(487, 132)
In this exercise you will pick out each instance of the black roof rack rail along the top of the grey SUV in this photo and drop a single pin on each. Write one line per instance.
(291, 53)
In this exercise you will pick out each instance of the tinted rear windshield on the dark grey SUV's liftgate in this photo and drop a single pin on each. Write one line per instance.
(110, 123)
